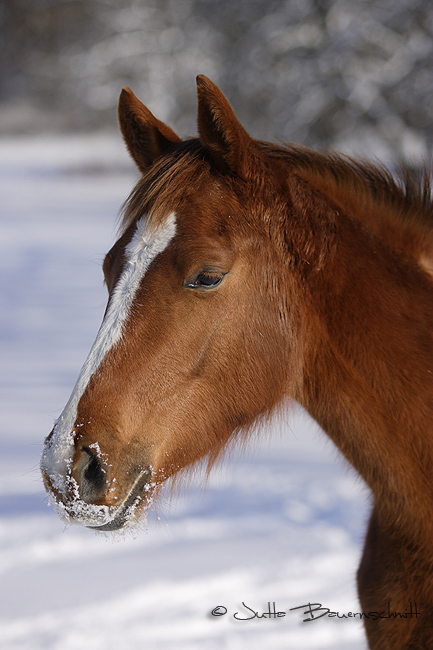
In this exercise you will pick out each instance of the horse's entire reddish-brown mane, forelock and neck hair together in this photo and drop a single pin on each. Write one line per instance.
(397, 206)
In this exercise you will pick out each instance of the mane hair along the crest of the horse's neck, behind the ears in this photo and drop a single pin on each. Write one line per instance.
(397, 206)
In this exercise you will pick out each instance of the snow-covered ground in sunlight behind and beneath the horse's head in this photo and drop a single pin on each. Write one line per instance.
(283, 523)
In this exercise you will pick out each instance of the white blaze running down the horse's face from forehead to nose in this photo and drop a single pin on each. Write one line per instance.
(139, 253)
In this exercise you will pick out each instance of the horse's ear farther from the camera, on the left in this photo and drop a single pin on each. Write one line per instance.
(146, 137)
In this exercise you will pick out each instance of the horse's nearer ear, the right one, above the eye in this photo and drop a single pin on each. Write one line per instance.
(220, 131)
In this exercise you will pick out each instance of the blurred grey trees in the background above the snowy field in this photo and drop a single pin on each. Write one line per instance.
(356, 75)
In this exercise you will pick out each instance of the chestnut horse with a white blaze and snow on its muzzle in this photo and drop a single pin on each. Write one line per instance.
(247, 273)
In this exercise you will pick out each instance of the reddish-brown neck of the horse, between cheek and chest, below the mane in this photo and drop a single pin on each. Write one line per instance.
(369, 373)
